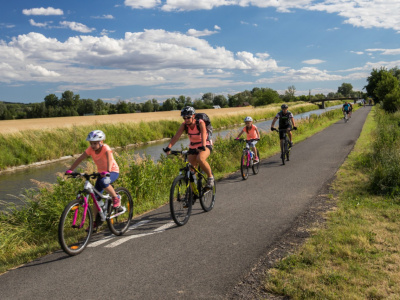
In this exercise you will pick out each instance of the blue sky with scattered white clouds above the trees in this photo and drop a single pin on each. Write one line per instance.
(136, 50)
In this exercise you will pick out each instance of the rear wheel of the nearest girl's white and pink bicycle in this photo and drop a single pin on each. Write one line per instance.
(118, 222)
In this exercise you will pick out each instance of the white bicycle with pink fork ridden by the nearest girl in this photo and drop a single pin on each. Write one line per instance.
(76, 222)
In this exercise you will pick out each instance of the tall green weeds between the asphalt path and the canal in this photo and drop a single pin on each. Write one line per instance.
(31, 231)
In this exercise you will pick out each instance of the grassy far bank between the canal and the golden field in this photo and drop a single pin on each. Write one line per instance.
(30, 146)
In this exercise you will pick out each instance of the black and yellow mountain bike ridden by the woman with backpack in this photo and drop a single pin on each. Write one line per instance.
(185, 190)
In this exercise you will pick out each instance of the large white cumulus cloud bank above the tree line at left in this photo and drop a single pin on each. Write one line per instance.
(151, 57)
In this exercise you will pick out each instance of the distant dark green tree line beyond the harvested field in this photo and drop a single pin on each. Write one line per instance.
(70, 104)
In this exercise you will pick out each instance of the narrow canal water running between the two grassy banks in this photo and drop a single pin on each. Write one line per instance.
(13, 184)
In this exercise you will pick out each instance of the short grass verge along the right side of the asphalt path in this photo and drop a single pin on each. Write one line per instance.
(356, 255)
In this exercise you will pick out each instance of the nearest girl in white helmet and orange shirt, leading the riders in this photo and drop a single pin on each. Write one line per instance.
(106, 166)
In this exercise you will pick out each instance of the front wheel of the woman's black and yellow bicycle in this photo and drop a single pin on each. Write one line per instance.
(180, 200)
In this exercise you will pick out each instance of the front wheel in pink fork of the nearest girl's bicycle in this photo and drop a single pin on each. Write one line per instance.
(74, 228)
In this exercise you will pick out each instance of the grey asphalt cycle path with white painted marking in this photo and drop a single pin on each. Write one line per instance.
(208, 256)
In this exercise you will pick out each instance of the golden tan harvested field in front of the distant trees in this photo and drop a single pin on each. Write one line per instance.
(10, 126)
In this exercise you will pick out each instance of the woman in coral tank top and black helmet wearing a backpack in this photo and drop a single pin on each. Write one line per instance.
(200, 146)
